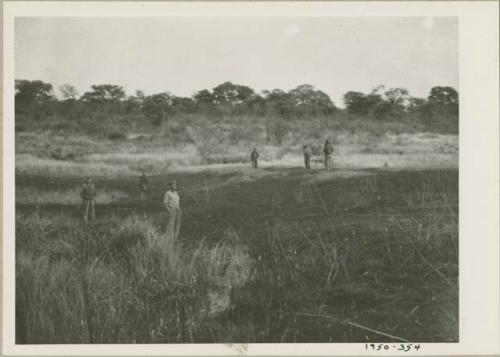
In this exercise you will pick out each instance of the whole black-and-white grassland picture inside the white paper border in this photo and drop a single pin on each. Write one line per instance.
(237, 180)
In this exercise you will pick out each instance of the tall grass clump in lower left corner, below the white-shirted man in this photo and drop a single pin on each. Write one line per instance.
(121, 283)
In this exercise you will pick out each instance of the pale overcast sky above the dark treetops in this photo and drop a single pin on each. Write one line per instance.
(184, 55)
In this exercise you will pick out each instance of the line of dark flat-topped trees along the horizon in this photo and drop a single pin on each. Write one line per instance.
(36, 99)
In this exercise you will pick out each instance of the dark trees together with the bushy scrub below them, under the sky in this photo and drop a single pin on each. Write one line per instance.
(106, 108)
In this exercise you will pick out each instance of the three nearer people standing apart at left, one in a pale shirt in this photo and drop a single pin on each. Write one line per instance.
(171, 202)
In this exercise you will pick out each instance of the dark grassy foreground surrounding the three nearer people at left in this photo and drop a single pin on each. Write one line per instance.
(367, 252)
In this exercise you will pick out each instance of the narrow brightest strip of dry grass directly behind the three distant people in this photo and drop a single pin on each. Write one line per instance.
(351, 151)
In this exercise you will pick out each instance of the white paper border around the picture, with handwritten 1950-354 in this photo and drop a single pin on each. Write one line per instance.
(479, 194)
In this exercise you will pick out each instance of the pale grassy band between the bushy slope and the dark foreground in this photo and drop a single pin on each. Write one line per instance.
(58, 155)
